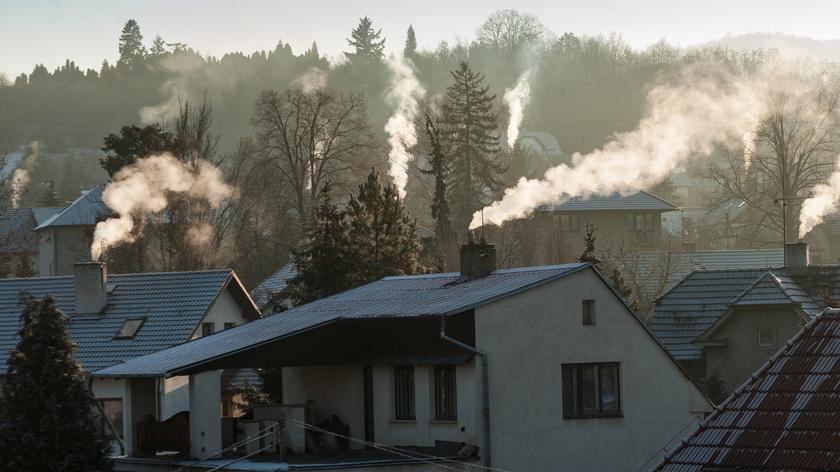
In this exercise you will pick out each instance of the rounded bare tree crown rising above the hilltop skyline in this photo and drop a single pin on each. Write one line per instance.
(510, 31)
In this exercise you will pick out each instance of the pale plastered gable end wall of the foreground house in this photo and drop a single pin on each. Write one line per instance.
(528, 337)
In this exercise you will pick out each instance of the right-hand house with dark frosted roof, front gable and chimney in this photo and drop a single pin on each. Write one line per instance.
(727, 323)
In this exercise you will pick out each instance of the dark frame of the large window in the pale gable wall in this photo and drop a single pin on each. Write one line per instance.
(572, 380)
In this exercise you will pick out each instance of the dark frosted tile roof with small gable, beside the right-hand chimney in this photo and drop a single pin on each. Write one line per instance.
(697, 303)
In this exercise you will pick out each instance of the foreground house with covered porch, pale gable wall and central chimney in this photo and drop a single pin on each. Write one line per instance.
(518, 369)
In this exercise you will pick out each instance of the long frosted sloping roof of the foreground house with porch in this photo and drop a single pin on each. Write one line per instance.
(391, 297)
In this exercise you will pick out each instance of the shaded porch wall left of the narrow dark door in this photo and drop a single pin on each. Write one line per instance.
(333, 390)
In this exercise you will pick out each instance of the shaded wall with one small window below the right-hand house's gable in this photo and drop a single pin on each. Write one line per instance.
(741, 356)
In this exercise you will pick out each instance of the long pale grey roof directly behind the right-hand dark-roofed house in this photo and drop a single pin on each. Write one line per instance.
(669, 268)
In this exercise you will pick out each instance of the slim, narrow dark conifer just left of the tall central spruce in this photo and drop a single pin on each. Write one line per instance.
(440, 204)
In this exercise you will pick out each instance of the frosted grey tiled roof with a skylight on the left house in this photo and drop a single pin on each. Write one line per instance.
(172, 303)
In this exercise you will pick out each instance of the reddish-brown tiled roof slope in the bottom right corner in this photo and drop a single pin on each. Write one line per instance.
(786, 417)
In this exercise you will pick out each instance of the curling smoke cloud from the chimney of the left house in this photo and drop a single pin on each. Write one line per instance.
(145, 188)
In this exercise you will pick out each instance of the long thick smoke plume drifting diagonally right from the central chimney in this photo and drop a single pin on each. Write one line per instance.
(703, 109)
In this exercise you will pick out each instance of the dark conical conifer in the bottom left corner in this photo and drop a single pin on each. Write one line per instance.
(46, 409)
